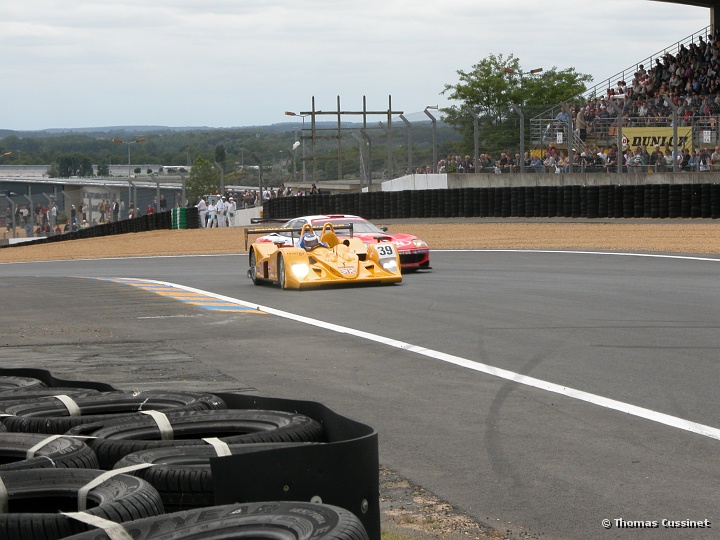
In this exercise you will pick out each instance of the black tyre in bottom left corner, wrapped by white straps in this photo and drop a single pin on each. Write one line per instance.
(36, 496)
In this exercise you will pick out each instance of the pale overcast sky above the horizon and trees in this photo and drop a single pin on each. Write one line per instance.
(234, 63)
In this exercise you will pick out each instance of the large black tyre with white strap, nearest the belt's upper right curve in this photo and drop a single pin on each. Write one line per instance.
(117, 439)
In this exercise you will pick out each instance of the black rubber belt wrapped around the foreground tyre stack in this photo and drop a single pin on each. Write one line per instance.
(343, 472)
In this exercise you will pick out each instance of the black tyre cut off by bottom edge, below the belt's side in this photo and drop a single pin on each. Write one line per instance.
(270, 520)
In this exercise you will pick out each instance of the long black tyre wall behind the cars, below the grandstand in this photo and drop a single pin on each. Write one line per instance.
(656, 201)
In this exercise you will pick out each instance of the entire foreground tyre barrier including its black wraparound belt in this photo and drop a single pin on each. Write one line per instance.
(306, 453)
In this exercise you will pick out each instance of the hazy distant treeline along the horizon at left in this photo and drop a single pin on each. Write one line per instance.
(83, 151)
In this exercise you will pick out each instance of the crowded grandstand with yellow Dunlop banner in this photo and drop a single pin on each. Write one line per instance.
(671, 95)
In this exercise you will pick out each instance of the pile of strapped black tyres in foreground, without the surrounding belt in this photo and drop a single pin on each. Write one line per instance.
(77, 462)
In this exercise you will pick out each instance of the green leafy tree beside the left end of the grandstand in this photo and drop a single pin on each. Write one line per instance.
(493, 85)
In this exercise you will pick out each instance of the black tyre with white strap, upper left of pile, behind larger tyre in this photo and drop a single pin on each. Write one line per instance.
(51, 416)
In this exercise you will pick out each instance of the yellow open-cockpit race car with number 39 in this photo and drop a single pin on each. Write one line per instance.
(314, 260)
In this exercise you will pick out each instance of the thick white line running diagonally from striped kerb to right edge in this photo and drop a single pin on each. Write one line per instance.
(648, 414)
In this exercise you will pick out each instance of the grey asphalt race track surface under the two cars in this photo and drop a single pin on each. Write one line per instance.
(540, 392)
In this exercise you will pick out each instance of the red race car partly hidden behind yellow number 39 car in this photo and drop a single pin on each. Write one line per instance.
(414, 253)
